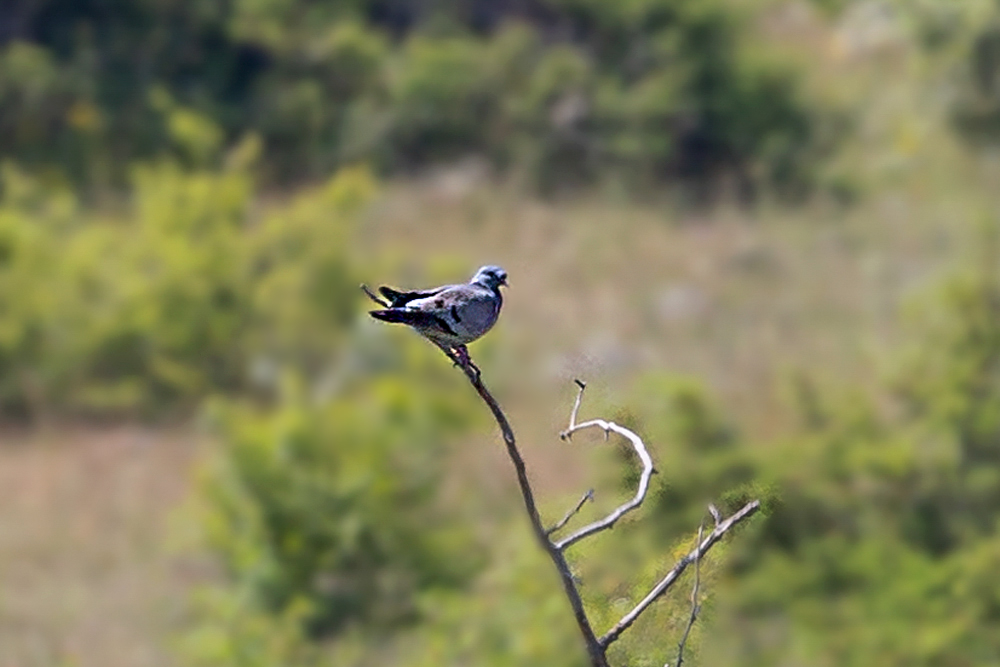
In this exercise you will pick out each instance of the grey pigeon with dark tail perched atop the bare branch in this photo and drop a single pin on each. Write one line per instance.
(451, 316)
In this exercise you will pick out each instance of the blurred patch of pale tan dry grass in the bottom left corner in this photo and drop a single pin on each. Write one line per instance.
(86, 578)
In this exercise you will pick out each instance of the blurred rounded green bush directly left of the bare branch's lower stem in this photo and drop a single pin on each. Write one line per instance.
(329, 509)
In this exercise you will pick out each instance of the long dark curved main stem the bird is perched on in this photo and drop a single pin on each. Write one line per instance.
(595, 650)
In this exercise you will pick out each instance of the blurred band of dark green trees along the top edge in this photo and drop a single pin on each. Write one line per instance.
(567, 91)
